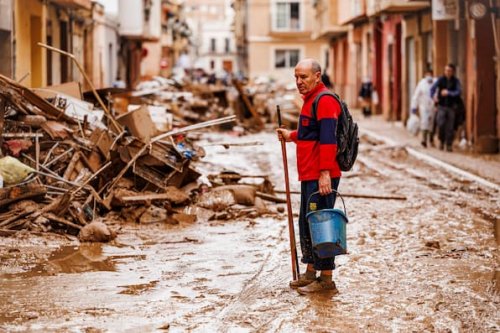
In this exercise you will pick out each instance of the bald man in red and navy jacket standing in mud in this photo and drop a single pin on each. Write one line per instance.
(317, 167)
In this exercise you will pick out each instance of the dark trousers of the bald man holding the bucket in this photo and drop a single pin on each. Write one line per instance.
(317, 202)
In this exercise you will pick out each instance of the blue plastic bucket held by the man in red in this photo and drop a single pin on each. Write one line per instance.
(328, 231)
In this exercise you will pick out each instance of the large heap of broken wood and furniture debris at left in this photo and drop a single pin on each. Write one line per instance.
(71, 161)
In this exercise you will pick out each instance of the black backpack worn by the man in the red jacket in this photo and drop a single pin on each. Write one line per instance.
(347, 133)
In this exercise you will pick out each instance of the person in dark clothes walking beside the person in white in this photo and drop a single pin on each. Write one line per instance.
(446, 93)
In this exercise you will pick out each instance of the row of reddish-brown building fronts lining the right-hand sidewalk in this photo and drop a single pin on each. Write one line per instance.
(392, 43)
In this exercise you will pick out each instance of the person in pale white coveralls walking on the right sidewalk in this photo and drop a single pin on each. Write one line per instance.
(423, 101)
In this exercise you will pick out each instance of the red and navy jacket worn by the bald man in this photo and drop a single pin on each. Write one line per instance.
(315, 138)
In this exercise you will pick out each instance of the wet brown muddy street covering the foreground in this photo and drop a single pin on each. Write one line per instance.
(427, 263)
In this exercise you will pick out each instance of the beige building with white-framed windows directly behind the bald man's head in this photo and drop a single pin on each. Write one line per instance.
(278, 36)
